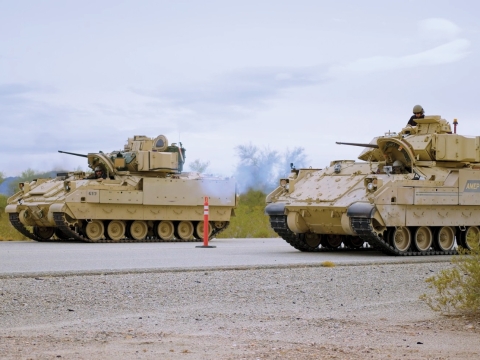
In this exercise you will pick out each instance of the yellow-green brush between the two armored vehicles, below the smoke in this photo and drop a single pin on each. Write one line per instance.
(249, 220)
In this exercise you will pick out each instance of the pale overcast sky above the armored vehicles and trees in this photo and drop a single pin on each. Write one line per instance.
(83, 76)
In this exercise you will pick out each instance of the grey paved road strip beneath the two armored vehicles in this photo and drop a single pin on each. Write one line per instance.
(29, 257)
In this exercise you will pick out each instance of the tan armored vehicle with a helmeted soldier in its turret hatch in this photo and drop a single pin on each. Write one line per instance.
(414, 193)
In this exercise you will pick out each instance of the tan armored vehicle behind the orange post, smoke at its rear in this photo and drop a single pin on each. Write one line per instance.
(138, 194)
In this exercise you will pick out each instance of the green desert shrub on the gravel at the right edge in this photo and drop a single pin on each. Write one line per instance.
(457, 289)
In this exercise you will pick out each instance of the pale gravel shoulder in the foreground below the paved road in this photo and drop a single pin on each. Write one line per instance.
(343, 312)
